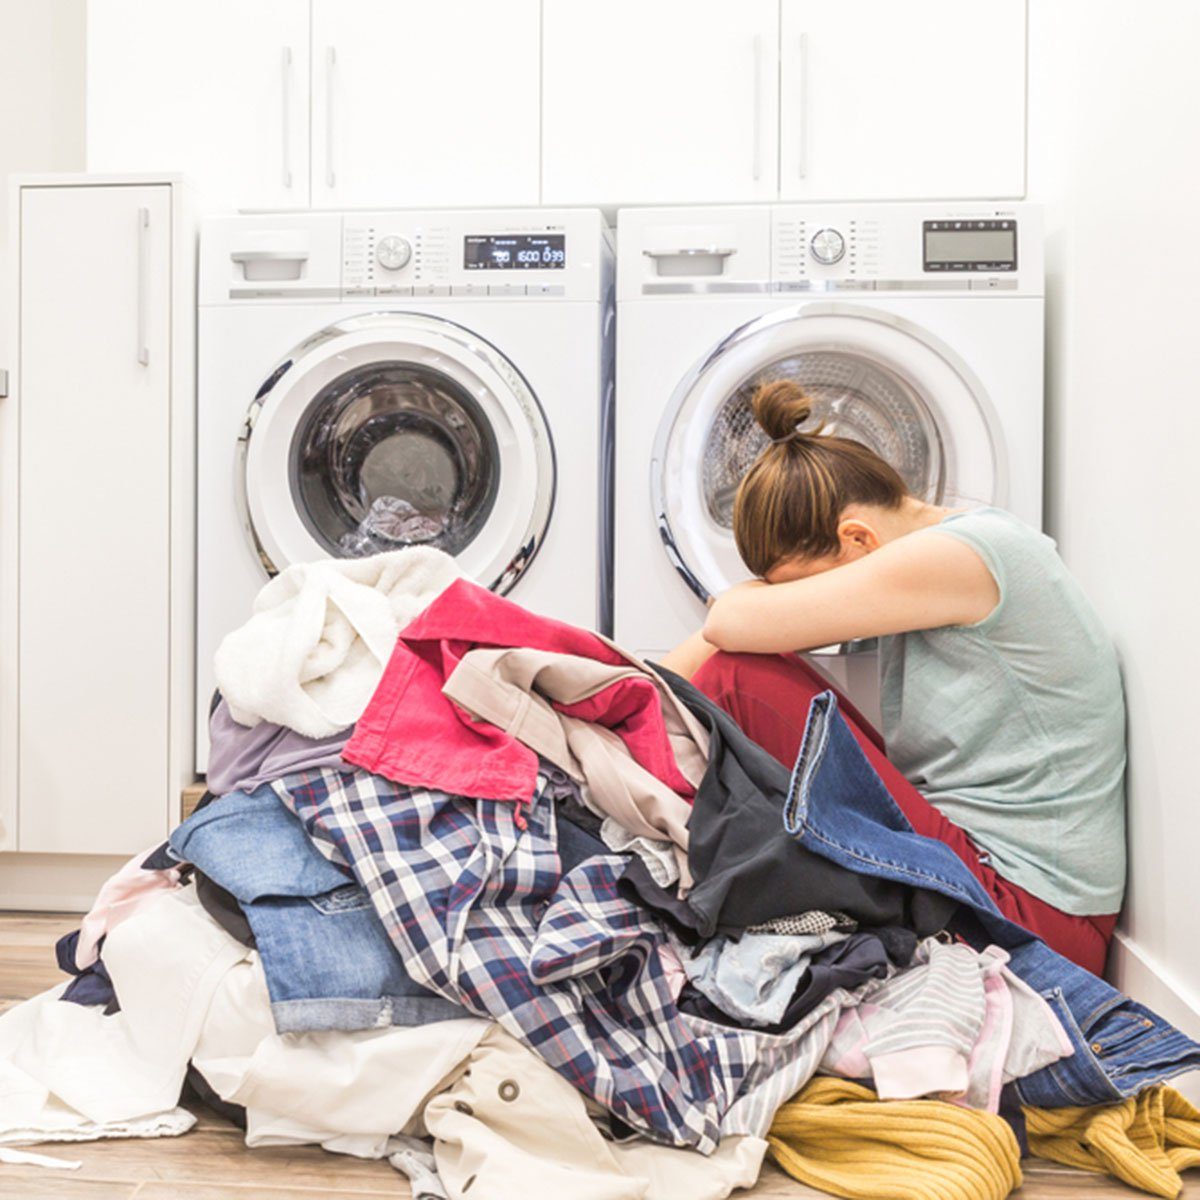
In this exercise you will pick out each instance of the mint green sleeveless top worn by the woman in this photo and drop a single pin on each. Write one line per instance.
(1015, 727)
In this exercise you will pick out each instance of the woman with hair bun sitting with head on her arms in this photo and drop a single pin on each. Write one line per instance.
(1004, 717)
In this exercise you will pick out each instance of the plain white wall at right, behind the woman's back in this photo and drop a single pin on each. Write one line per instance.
(1115, 157)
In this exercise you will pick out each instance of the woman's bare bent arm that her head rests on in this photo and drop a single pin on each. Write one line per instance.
(915, 583)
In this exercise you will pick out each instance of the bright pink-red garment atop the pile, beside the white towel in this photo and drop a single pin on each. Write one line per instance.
(412, 734)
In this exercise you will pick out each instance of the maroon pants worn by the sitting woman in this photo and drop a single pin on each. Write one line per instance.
(769, 695)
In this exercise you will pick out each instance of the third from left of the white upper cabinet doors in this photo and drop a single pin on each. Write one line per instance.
(659, 101)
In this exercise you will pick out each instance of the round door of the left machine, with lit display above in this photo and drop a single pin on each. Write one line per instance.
(395, 430)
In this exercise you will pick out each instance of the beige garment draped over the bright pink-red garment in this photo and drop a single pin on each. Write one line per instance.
(513, 689)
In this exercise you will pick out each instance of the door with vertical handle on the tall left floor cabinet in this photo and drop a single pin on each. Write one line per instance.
(93, 530)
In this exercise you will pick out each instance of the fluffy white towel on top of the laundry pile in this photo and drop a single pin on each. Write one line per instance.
(322, 633)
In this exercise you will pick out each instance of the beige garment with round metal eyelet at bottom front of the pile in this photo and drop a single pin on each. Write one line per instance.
(509, 1126)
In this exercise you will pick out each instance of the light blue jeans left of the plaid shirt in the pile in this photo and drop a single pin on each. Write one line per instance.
(328, 961)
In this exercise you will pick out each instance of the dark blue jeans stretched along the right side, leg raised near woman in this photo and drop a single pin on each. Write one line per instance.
(839, 808)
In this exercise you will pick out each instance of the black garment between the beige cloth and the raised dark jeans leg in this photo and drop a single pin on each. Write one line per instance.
(747, 867)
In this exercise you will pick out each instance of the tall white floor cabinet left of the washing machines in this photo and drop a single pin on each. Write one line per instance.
(97, 517)
